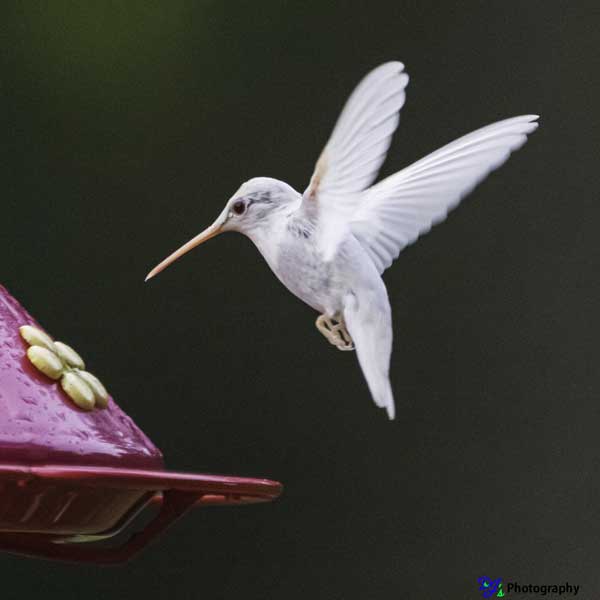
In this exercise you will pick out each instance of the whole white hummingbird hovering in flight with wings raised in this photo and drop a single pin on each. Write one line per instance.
(330, 245)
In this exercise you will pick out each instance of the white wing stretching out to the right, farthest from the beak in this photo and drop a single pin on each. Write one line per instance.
(396, 211)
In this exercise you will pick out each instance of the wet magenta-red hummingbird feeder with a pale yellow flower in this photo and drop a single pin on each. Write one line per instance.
(75, 470)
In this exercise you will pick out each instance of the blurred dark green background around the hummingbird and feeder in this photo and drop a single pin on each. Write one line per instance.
(127, 125)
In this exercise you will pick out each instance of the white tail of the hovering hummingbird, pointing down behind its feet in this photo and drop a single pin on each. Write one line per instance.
(368, 318)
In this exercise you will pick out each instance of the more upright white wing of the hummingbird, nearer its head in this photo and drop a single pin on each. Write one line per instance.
(354, 152)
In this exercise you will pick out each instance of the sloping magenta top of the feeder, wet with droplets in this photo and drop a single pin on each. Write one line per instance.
(41, 423)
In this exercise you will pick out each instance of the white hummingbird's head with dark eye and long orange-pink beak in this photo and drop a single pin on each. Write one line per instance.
(253, 208)
